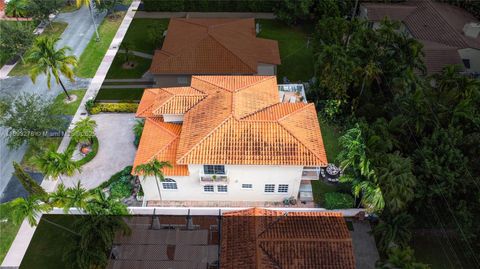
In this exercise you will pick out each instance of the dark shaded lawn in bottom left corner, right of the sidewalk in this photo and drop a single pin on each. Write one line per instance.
(48, 244)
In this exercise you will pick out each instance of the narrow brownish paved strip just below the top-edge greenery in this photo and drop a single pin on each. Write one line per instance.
(166, 15)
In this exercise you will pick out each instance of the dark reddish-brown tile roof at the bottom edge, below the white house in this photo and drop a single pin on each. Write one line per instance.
(260, 238)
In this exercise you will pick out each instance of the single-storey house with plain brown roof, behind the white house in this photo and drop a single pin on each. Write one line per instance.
(212, 47)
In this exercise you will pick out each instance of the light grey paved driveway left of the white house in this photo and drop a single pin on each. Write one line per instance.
(116, 150)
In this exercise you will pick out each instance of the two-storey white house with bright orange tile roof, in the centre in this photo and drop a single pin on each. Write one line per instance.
(229, 138)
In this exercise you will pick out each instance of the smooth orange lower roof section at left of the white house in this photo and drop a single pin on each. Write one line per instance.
(160, 140)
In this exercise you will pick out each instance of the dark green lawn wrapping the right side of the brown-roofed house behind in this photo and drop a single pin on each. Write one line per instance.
(297, 58)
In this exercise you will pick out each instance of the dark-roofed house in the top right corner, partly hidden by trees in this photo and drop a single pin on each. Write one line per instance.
(449, 34)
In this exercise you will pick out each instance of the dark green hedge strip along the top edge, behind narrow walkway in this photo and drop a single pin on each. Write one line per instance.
(210, 5)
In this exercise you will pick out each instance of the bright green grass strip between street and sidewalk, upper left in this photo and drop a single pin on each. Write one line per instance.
(95, 51)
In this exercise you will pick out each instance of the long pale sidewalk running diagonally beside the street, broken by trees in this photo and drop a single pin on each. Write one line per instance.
(19, 246)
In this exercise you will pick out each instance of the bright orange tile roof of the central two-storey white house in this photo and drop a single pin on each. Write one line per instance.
(229, 120)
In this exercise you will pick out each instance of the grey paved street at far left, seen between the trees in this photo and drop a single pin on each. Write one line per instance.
(77, 35)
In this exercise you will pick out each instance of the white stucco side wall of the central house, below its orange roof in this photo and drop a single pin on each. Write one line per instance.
(190, 187)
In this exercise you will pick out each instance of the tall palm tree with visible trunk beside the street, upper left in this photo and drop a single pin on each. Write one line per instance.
(50, 61)
